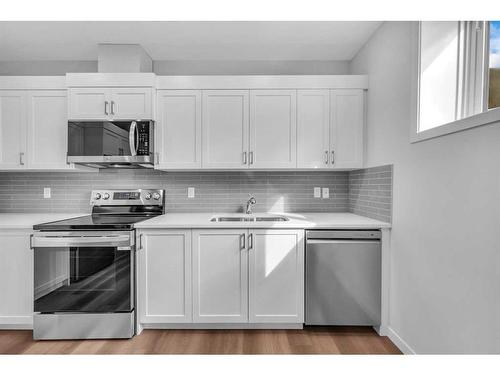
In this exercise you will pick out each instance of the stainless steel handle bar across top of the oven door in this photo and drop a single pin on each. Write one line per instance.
(124, 242)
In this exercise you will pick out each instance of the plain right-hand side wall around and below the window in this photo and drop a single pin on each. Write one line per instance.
(445, 281)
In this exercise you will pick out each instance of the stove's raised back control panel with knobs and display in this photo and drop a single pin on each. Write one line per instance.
(136, 197)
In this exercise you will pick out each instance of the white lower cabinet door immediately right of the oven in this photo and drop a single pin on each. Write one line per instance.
(165, 277)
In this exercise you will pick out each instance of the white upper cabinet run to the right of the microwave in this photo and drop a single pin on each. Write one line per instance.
(260, 128)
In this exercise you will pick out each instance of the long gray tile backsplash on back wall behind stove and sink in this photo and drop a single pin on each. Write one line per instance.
(214, 191)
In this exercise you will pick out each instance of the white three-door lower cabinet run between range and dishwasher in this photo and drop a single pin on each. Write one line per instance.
(219, 276)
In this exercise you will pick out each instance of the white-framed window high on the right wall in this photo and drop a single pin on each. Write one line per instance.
(458, 76)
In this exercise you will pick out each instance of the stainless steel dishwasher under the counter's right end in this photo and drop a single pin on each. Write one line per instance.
(343, 277)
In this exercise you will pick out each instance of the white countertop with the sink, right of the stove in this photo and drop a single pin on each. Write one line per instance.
(305, 220)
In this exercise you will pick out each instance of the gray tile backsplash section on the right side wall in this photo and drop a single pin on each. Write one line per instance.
(370, 192)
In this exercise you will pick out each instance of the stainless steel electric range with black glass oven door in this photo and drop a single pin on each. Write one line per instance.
(84, 268)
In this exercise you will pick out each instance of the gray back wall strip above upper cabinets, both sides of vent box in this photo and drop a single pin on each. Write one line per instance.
(183, 67)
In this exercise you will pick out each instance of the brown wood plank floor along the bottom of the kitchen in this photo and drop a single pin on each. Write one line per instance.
(331, 340)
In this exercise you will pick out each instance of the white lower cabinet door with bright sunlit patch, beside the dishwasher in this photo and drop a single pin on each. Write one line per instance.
(276, 279)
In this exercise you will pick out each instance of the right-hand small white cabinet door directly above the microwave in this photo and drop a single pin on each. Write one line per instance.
(131, 103)
